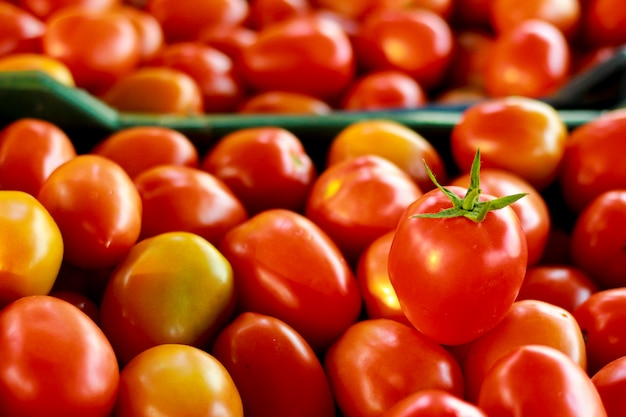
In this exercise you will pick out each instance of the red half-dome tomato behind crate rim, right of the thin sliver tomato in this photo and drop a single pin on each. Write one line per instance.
(381, 90)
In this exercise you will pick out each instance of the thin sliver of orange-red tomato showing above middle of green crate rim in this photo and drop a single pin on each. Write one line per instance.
(283, 102)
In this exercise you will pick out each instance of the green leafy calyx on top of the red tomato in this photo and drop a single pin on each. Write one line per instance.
(469, 206)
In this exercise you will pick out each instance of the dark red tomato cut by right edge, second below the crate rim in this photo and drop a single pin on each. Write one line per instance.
(597, 241)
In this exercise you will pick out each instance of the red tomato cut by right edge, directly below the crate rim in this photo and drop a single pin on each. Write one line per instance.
(591, 162)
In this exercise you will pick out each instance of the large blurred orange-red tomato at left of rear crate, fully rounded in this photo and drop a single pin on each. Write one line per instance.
(79, 38)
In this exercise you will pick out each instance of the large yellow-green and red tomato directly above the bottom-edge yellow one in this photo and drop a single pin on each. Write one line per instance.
(189, 279)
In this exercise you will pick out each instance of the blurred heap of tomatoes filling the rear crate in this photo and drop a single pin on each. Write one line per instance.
(307, 56)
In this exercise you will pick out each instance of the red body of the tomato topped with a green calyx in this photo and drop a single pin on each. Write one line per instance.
(489, 258)
